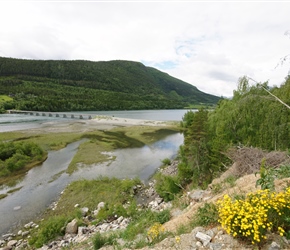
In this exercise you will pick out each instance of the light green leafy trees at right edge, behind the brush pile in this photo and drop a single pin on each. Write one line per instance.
(253, 117)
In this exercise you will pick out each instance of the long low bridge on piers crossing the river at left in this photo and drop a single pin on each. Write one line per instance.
(52, 114)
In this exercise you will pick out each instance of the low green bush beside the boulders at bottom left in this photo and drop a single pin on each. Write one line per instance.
(49, 229)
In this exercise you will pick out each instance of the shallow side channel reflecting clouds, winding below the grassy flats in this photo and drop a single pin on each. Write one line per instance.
(43, 184)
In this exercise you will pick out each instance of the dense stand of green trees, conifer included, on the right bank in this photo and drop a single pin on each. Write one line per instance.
(252, 118)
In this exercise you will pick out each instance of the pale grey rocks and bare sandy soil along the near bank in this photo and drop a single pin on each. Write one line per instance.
(80, 237)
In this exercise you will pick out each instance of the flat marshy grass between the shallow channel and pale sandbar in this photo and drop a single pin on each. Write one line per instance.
(91, 151)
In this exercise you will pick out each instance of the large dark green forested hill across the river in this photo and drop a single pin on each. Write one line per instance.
(51, 85)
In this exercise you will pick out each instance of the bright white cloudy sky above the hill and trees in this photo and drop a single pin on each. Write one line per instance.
(209, 44)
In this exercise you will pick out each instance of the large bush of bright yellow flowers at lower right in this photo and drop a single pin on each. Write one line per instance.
(252, 217)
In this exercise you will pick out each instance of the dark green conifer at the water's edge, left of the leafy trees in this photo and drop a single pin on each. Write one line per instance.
(202, 157)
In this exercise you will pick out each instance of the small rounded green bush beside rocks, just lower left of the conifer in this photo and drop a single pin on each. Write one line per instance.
(166, 186)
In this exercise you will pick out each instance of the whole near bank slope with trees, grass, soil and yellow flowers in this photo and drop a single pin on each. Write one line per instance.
(247, 200)
